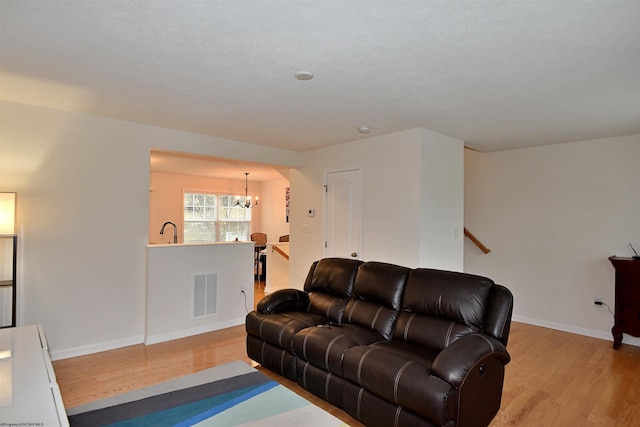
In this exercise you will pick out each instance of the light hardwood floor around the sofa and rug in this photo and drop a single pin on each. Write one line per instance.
(554, 378)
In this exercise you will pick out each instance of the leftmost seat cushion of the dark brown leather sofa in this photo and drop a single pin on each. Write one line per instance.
(279, 328)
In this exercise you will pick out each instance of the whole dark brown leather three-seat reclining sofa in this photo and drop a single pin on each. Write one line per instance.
(390, 345)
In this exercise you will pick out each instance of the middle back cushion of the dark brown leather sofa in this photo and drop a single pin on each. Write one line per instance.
(377, 297)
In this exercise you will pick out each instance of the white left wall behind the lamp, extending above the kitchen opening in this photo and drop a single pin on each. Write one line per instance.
(82, 216)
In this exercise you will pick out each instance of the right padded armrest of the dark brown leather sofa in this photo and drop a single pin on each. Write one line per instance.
(454, 363)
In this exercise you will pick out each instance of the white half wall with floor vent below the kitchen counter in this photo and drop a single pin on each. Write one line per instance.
(170, 288)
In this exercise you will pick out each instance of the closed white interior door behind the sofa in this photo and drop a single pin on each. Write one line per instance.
(343, 222)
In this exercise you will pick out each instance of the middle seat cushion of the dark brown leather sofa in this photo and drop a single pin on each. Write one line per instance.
(324, 346)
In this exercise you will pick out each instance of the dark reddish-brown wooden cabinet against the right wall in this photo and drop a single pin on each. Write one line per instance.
(627, 306)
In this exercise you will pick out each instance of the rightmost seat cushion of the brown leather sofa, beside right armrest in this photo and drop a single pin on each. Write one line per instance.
(402, 380)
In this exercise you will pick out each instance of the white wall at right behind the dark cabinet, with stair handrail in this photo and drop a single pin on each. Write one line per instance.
(552, 216)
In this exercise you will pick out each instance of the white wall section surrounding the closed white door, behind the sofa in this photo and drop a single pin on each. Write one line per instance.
(399, 172)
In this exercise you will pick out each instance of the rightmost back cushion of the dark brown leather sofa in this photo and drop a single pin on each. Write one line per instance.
(438, 307)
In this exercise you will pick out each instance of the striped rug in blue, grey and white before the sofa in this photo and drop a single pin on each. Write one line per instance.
(229, 395)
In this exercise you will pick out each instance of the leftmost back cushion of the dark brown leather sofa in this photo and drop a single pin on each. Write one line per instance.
(330, 286)
